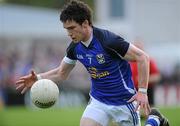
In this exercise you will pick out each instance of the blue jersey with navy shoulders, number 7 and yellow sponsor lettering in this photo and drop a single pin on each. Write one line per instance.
(110, 74)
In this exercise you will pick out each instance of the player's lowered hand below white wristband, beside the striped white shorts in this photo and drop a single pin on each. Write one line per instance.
(142, 102)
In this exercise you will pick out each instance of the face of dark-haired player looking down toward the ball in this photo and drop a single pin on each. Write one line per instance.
(75, 31)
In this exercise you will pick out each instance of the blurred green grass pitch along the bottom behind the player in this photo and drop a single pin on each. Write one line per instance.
(20, 116)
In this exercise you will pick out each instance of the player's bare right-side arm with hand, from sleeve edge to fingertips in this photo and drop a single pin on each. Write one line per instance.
(135, 54)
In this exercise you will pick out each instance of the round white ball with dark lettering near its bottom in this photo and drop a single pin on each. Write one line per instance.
(44, 93)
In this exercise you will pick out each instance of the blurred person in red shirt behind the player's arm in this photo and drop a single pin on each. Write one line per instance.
(154, 76)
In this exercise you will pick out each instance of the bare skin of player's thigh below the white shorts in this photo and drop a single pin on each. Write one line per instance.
(88, 122)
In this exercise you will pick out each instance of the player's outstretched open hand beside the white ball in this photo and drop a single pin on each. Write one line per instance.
(25, 82)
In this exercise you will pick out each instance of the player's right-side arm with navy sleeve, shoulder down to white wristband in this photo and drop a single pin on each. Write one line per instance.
(118, 46)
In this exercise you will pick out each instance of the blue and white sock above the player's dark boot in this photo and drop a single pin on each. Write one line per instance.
(152, 121)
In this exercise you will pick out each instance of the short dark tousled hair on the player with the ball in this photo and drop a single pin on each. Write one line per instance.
(76, 11)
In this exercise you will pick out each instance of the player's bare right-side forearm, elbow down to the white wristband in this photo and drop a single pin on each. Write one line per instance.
(143, 71)
